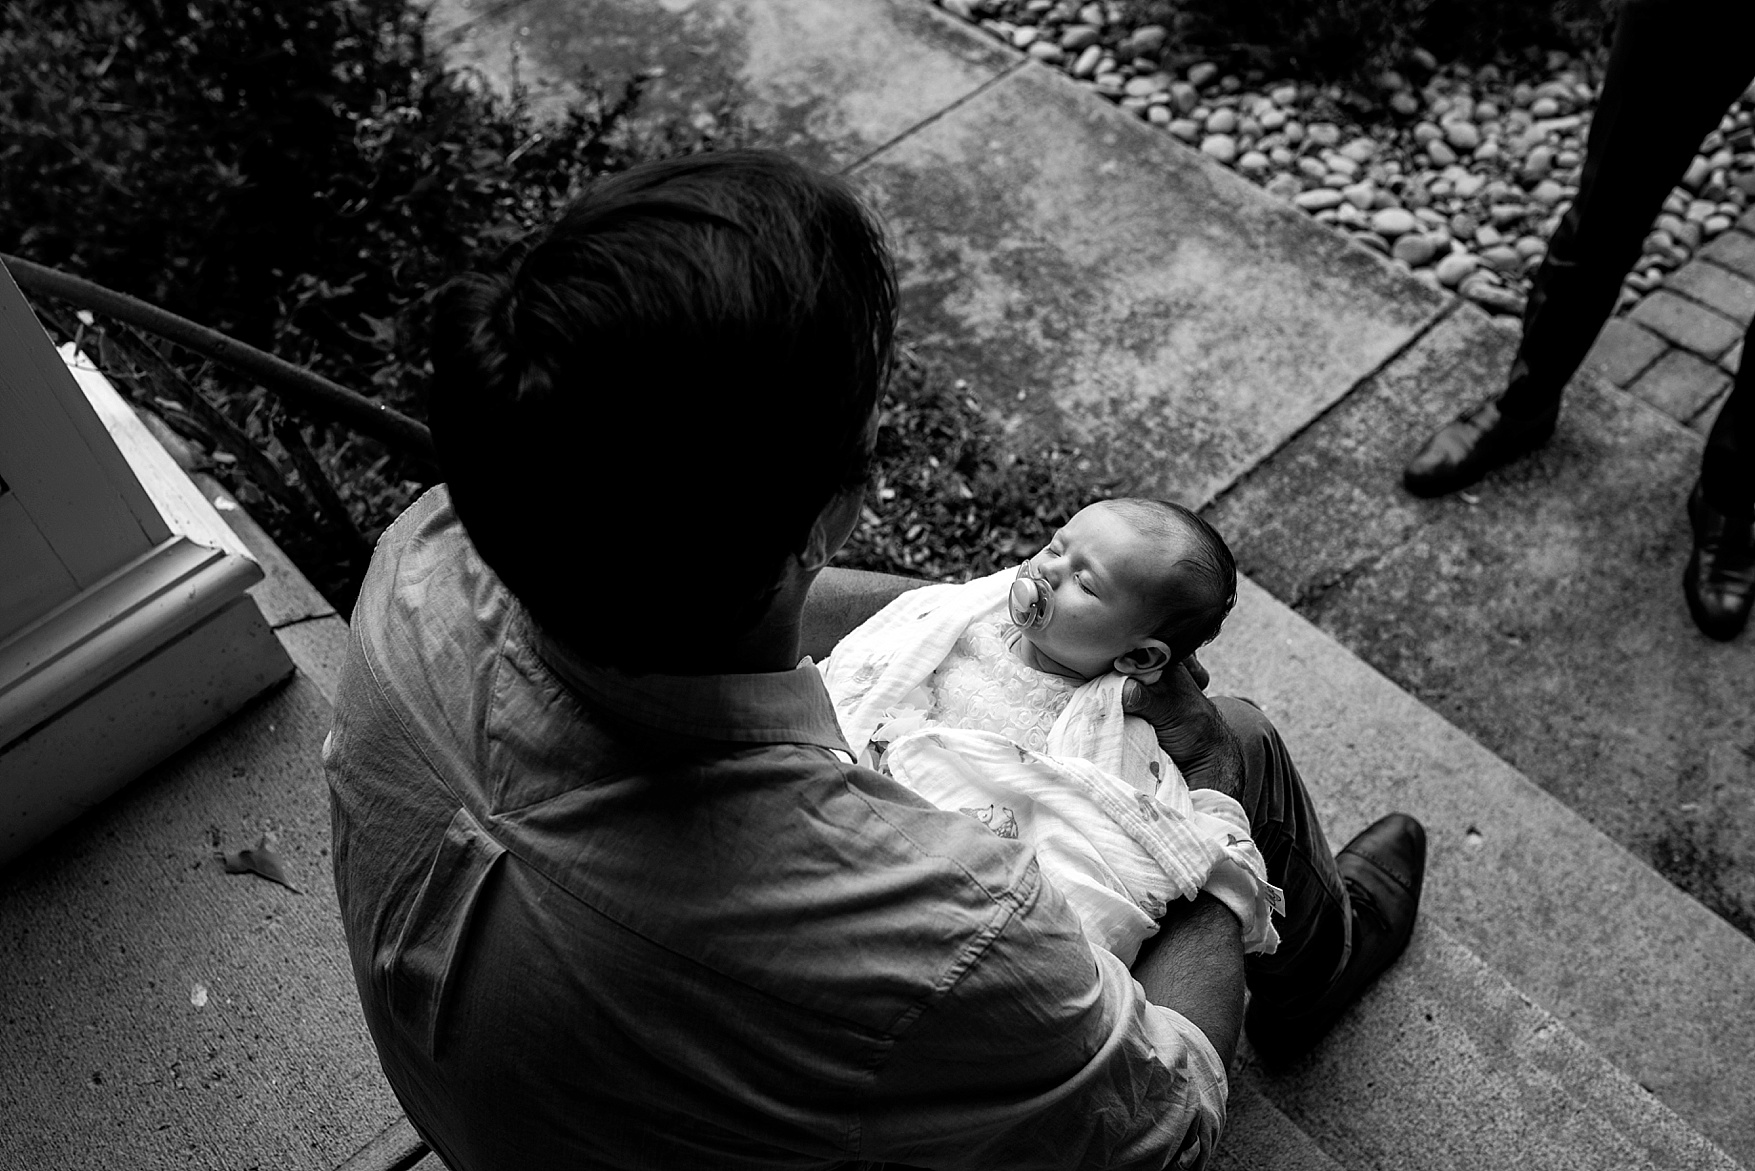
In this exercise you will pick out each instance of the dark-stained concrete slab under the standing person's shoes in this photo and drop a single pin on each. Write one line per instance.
(1540, 612)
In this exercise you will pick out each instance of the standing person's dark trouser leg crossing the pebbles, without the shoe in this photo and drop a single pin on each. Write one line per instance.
(1673, 69)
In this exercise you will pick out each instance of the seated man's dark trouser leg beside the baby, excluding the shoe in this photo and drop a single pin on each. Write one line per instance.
(1317, 928)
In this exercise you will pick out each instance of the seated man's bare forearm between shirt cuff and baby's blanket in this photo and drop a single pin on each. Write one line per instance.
(1194, 966)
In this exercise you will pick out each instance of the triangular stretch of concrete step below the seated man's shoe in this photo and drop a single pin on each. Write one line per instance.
(1443, 1067)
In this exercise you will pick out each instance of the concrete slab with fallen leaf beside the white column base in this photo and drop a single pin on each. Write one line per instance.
(162, 1012)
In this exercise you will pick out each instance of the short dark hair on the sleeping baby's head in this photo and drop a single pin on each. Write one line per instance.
(1198, 594)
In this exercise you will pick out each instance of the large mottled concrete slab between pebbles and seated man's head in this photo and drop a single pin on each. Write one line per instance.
(1103, 284)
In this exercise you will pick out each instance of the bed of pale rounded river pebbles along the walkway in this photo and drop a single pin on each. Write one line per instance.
(1459, 176)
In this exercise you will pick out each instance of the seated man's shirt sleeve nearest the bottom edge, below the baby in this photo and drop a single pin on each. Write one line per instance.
(1047, 1054)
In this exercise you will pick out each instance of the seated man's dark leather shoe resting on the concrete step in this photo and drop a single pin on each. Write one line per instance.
(1384, 870)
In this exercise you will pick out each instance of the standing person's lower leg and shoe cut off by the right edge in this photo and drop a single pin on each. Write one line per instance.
(1721, 575)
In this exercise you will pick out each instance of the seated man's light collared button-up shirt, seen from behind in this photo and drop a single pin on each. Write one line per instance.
(606, 921)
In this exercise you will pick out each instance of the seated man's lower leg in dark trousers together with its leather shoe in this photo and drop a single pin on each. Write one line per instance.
(1347, 916)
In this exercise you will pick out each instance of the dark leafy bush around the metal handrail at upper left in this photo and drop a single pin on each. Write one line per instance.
(297, 175)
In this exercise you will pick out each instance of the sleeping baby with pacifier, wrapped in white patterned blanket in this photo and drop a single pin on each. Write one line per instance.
(1003, 700)
